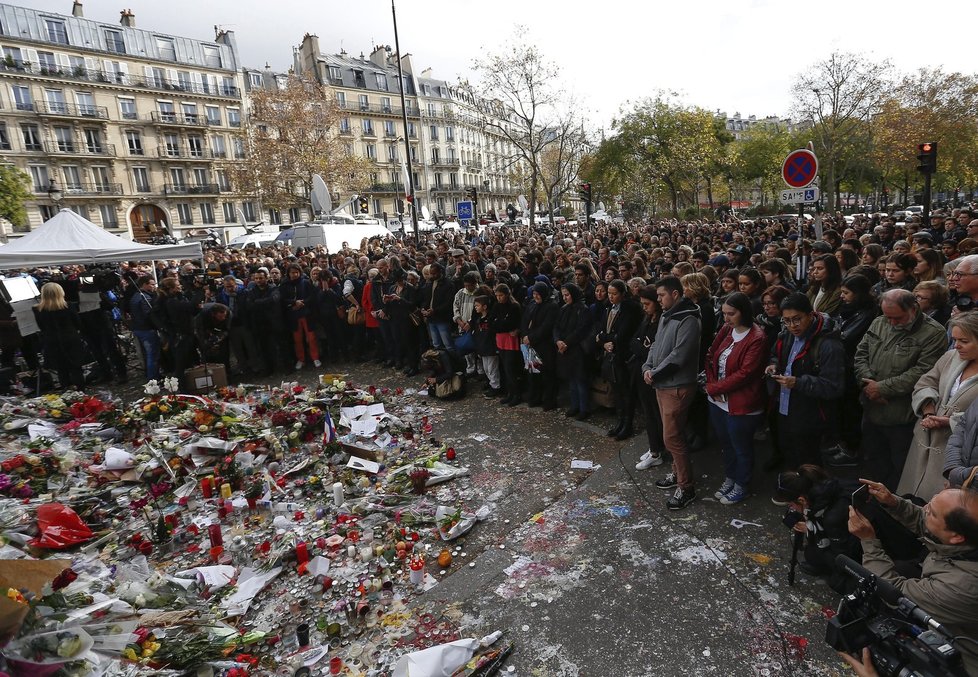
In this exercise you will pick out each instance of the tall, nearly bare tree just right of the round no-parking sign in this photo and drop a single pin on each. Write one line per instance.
(839, 95)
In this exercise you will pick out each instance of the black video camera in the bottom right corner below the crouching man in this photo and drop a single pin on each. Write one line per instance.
(903, 639)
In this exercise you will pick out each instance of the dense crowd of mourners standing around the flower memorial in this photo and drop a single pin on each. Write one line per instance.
(856, 348)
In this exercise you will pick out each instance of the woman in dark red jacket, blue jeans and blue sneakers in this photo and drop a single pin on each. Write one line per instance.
(735, 388)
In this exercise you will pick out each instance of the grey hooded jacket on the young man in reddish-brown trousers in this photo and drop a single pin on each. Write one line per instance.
(674, 357)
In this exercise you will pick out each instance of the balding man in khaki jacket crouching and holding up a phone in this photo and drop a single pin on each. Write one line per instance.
(948, 586)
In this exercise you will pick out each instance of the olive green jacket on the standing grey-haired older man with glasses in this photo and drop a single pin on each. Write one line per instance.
(897, 357)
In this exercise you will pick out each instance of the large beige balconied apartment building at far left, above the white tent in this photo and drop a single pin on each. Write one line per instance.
(135, 128)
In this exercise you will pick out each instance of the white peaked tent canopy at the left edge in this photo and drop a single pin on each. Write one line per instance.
(69, 238)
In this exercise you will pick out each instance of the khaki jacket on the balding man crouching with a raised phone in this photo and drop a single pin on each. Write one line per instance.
(948, 586)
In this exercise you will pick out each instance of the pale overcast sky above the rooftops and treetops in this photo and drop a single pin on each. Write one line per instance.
(735, 57)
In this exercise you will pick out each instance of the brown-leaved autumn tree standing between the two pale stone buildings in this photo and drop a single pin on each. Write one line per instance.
(292, 133)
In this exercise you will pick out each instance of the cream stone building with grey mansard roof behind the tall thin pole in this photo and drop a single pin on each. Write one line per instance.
(451, 151)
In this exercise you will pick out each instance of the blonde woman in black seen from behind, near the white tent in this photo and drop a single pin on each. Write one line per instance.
(60, 336)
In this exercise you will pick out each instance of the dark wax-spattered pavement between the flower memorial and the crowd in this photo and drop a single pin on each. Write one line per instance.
(590, 575)
